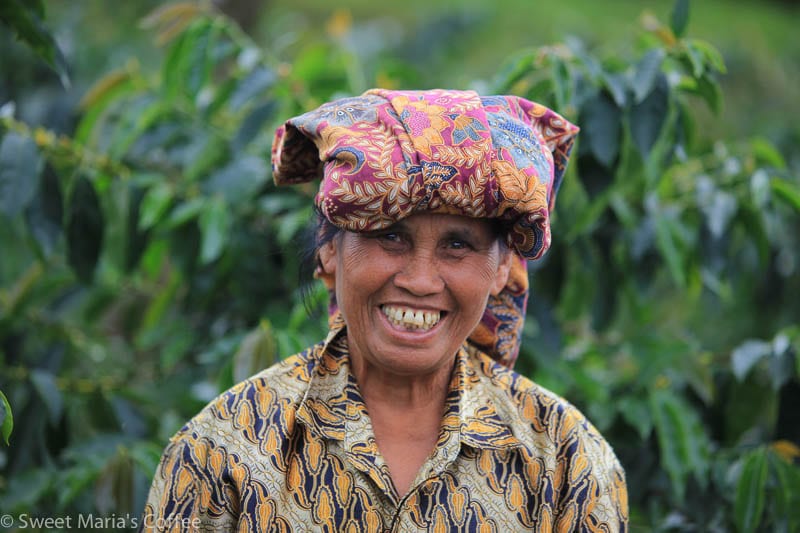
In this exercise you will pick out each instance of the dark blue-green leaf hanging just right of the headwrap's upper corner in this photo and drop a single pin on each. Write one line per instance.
(601, 122)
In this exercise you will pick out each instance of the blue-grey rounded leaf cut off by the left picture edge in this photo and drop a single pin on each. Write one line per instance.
(20, 169)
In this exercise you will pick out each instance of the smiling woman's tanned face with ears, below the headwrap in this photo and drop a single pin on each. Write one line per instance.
(412, 293)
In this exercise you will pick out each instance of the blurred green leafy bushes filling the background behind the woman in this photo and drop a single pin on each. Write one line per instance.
(148, 263)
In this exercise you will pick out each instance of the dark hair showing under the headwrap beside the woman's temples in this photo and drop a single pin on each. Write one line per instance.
(320, 231)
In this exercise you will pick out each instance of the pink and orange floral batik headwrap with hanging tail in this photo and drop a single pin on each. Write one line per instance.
(386, 155)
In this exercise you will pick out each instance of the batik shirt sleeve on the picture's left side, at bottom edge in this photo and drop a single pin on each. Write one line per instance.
(188, 493)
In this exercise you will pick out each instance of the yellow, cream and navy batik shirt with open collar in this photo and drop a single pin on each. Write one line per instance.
(292, 449)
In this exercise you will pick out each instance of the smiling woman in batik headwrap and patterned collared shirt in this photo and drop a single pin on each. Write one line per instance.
(408, 416)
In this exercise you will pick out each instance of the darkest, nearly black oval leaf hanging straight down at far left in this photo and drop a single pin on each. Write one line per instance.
(85, 225)
